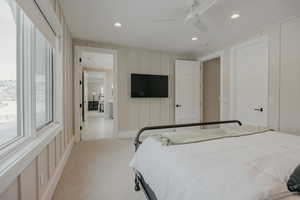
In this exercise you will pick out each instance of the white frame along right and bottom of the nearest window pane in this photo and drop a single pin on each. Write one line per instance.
(23, 71)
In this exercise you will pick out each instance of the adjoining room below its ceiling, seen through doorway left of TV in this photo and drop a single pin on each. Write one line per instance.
(98, 104)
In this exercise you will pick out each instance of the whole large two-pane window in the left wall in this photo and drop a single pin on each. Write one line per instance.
(26, 75)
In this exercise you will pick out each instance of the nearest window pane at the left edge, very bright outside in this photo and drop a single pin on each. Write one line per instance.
(8, 73)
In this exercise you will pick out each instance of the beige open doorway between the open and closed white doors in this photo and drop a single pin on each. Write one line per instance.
(211, 89)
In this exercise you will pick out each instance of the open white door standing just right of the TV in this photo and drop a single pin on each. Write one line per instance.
(187, 92)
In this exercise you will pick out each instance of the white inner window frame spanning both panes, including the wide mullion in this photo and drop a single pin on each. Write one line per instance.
(25, 93)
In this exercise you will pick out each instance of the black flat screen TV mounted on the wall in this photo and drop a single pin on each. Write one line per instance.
(149, 86)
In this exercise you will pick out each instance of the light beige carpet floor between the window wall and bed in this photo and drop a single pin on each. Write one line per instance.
(98, 170)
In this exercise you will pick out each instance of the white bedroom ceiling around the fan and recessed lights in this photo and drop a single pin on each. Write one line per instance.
(94, 19)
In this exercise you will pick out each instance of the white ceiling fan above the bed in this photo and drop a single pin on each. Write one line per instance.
(196, 8)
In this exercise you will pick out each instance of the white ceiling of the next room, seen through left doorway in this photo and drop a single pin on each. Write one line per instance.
(97, 60)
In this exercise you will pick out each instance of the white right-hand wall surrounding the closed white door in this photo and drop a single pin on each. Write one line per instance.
(283, 50)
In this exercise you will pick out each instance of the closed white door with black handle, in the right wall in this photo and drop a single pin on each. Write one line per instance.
(250, 69)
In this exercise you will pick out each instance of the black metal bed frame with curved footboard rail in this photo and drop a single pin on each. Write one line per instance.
(139, 180)
